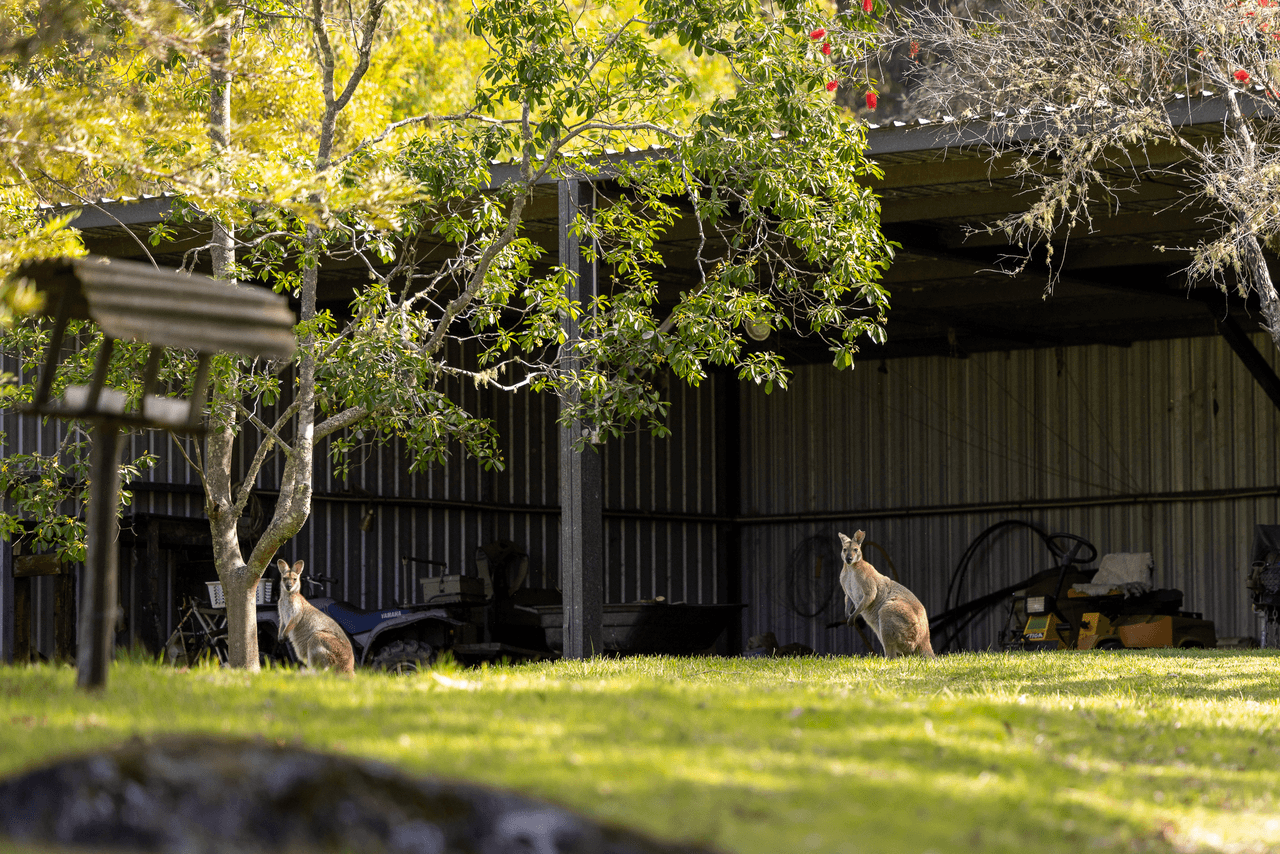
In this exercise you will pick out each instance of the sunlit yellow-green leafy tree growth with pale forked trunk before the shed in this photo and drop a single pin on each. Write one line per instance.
(313, 134)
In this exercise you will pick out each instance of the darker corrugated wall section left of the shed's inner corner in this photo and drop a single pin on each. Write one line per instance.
(447, 513)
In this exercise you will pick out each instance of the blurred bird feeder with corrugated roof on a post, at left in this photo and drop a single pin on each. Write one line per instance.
(134, 302)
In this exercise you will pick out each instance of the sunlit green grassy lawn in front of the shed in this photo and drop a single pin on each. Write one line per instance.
(1053, 752)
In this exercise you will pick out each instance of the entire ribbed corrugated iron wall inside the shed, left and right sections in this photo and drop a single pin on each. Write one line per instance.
(1165, 447)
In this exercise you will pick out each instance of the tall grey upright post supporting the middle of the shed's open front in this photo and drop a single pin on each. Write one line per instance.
(582, 520)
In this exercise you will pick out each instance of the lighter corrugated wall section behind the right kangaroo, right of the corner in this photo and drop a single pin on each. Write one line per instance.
(1164, 447)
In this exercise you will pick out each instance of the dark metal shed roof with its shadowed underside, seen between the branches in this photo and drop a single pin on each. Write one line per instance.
(1119, 285)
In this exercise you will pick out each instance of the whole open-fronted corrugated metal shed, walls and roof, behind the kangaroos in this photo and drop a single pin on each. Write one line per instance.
(1164, 446)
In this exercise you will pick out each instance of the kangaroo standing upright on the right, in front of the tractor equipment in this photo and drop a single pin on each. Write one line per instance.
(893, 611)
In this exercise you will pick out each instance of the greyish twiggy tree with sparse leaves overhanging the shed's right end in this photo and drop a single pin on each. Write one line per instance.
(1084, 99)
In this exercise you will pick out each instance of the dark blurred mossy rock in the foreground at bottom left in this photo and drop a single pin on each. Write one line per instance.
(208, 796)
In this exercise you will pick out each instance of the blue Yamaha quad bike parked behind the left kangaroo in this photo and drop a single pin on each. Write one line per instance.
(395, 640)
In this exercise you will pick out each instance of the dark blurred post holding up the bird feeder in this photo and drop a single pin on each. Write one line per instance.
(100, 591)
